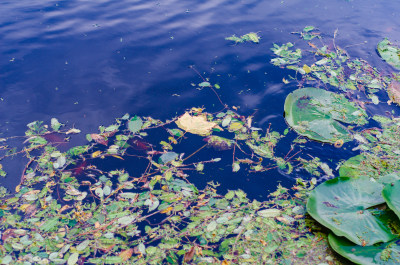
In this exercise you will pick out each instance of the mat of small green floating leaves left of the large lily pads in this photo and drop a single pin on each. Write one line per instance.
(70, 210)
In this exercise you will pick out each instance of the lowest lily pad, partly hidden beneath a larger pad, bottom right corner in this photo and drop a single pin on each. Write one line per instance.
(383, 254)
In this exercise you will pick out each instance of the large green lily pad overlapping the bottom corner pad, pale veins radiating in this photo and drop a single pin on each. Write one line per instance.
(343, 205)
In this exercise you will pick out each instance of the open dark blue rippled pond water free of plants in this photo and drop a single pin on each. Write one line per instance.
(88, 62)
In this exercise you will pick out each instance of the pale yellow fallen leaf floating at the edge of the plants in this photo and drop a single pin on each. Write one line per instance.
(195, 124)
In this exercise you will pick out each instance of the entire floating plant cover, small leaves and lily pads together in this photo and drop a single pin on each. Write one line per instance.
(71, 209)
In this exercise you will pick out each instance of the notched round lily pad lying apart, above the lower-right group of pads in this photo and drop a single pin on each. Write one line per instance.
(318, 114)
